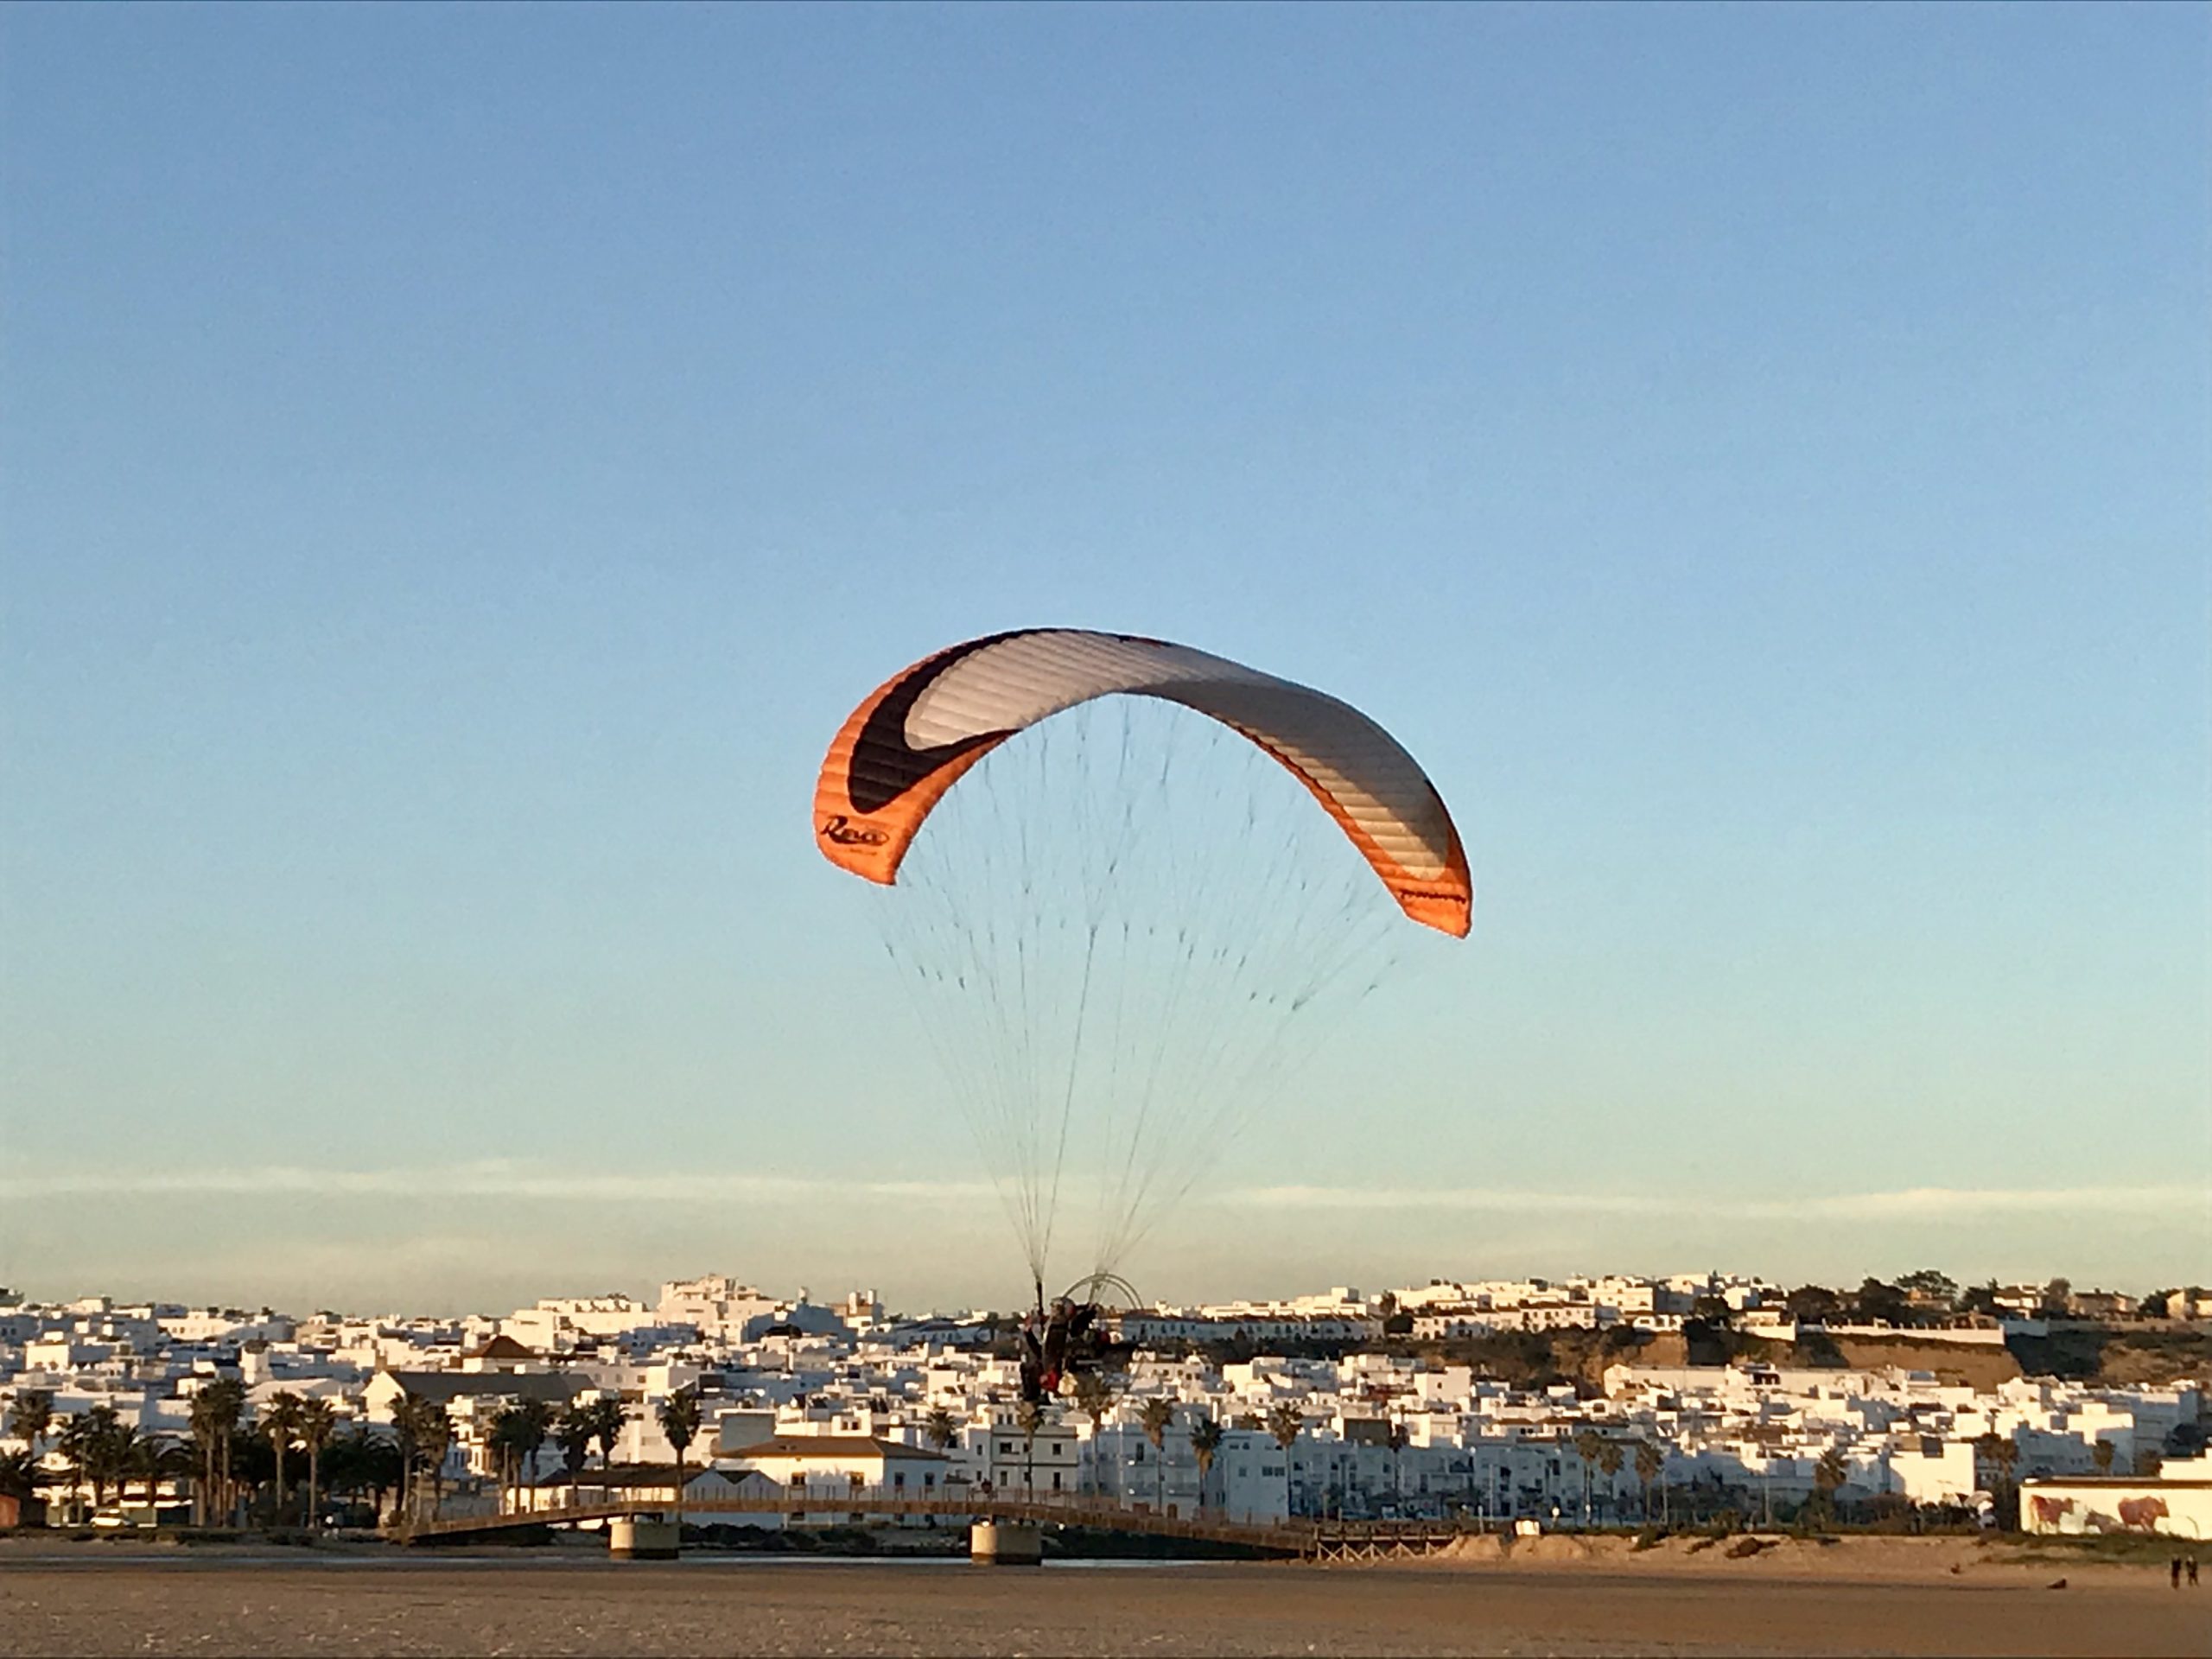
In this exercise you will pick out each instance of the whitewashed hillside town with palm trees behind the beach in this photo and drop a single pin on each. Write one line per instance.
(1569, 1404)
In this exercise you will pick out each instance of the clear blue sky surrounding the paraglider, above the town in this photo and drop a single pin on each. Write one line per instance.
(463, 463)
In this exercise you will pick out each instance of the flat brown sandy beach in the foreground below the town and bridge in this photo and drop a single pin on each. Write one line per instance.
(242, 1603)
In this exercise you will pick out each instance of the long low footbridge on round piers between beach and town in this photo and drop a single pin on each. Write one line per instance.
(1300, 1538)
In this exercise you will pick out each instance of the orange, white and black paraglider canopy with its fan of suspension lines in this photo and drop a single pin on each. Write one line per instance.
(1127, 926)
